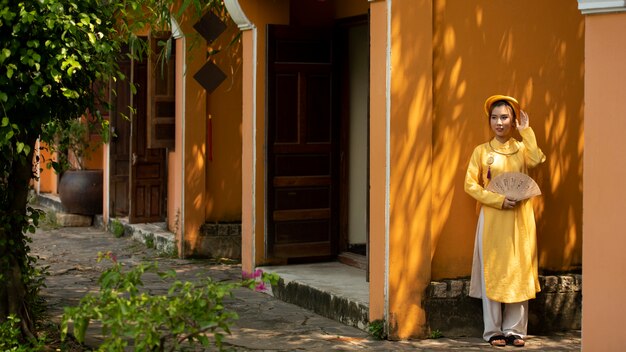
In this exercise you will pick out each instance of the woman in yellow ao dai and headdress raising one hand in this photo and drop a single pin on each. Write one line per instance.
(504, 269)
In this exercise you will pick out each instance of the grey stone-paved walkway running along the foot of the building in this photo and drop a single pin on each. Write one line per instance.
(265, 323)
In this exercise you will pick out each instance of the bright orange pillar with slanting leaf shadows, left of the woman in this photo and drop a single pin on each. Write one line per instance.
(410, 165)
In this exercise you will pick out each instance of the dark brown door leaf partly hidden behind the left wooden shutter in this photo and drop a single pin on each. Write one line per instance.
(147, 171)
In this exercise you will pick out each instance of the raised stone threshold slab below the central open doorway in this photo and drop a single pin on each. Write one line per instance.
(332, 289)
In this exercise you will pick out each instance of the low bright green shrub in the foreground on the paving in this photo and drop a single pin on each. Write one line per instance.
(191, 313)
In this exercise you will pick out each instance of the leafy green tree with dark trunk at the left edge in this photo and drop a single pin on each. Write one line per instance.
(56, 60)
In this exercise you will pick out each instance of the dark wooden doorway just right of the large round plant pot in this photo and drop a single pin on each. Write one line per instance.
(137, 173)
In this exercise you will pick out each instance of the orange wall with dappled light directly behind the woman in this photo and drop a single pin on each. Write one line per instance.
(483, 48)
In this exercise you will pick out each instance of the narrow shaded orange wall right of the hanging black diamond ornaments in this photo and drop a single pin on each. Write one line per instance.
(223, 199)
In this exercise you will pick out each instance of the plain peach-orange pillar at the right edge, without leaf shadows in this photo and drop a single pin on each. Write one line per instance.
(605, 160)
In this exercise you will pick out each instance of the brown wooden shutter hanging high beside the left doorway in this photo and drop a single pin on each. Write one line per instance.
(161, 90)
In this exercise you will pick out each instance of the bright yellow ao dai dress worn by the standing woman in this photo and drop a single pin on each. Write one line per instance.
(509, 235)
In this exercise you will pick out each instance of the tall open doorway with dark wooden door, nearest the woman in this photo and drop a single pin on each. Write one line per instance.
(317, 142)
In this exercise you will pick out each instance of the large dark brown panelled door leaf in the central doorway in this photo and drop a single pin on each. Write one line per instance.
(302, 134)
